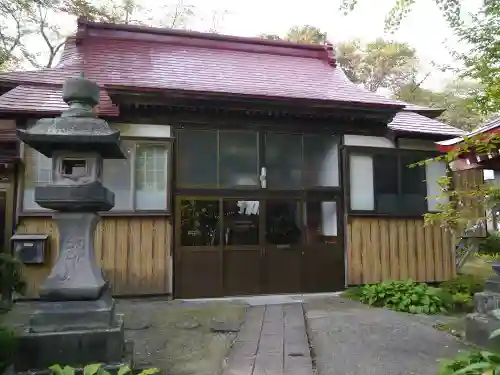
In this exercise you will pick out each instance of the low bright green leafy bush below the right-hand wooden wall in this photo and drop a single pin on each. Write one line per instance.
(406, 296)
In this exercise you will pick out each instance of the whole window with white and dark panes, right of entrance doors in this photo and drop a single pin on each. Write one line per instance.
(382, 182)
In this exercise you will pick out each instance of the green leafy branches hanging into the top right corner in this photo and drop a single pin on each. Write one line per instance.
(481, 34)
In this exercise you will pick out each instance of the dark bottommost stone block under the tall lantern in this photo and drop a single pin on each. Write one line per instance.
(39, 350)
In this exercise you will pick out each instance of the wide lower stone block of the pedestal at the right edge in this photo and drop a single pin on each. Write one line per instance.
(478, 329)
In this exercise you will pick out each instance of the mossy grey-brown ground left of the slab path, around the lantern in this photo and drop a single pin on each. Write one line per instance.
(178, 337)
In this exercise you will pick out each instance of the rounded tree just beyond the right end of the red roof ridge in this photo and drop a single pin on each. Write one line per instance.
(379, 64)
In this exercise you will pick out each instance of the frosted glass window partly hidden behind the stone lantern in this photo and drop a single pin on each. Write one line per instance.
(139, 182)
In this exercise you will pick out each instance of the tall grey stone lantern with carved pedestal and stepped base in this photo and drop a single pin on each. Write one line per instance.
(75, 321)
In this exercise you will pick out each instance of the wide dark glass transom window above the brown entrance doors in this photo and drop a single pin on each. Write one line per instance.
(230, 159)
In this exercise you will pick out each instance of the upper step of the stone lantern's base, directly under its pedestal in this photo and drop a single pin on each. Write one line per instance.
(73, 315)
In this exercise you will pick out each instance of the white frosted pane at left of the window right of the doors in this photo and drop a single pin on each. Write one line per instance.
(361, 183)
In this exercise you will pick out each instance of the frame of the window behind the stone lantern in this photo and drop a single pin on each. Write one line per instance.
(166, 142)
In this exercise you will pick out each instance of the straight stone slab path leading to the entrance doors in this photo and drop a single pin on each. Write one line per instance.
(272, 340)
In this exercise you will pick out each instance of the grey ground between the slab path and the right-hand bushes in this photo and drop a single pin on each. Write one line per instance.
(348, 338)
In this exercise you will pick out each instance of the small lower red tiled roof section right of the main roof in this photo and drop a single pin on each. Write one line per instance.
(408, 121)
